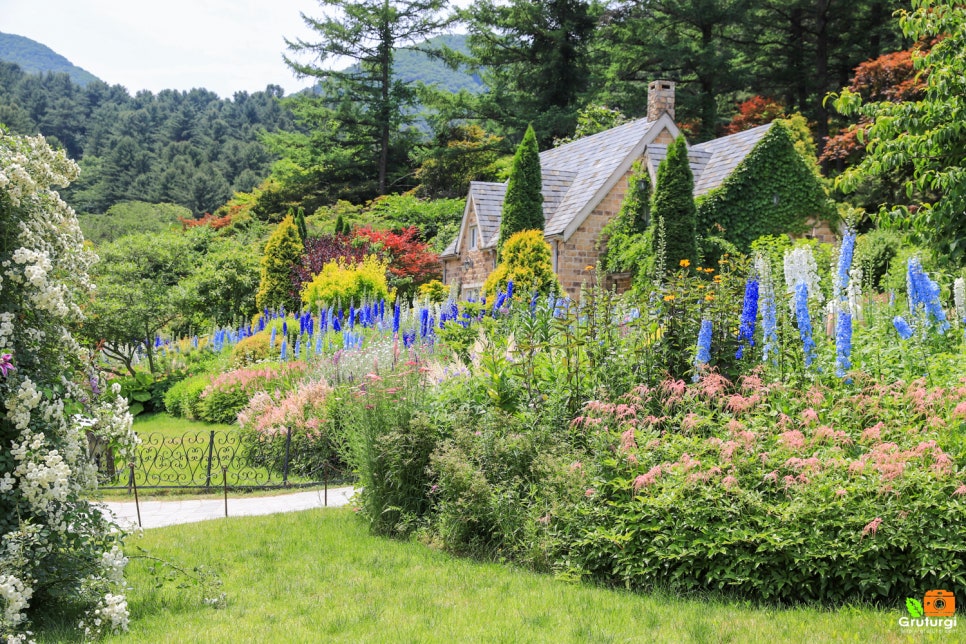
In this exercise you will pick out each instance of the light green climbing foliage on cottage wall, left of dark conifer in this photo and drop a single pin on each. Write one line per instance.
(628, 247)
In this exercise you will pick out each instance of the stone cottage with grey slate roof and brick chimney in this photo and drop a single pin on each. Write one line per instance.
(583, 186)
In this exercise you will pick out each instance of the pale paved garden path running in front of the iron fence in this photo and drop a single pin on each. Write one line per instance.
(156, 514)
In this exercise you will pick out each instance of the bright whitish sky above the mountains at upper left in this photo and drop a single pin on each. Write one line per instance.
(224, 46)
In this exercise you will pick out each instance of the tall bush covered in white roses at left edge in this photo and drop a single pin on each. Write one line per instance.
(57, 552)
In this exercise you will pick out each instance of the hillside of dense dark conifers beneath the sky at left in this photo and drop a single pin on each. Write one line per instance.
(190, 148)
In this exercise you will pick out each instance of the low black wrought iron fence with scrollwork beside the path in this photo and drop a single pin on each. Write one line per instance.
(216, 459)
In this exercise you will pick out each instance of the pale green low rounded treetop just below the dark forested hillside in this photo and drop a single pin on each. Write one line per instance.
(130, 217)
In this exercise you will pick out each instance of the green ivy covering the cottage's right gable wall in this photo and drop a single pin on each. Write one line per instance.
(772, 191)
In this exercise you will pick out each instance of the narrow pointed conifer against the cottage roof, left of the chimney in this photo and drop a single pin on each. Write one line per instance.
(523, 204)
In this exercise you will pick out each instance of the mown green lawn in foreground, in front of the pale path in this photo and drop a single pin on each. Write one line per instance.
(320, 576)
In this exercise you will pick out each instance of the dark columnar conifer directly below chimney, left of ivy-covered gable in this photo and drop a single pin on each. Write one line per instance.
(674, 203)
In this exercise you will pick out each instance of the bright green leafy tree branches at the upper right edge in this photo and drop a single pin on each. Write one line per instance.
(925, 134)
